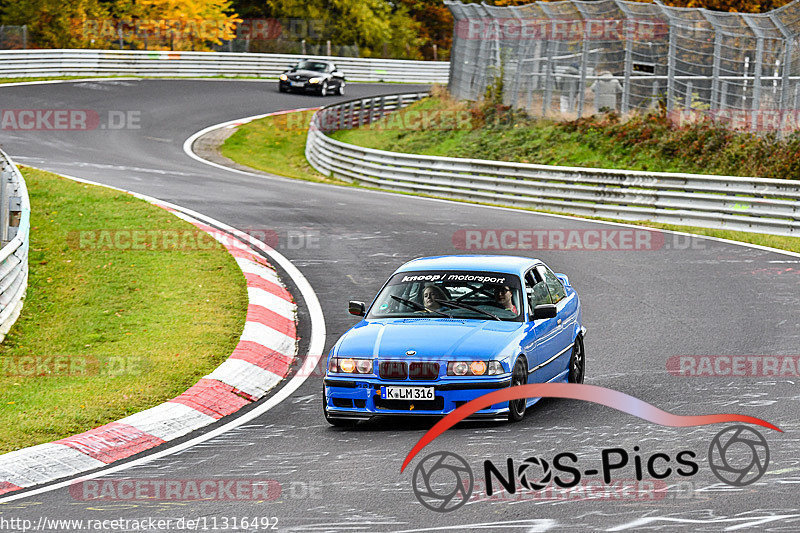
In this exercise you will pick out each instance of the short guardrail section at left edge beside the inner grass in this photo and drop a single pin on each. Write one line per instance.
(15, 223)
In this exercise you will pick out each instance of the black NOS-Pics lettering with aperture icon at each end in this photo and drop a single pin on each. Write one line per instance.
(443, 481)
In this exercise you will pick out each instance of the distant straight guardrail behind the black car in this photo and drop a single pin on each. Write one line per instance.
(41, 63)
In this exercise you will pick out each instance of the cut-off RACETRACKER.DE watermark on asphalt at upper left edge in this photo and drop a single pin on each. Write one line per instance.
(69, 120)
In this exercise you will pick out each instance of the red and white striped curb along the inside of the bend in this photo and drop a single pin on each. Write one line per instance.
(262, 359)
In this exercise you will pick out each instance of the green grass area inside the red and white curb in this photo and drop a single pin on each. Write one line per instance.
(140, 326)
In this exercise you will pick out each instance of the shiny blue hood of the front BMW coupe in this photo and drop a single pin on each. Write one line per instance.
(429, 338)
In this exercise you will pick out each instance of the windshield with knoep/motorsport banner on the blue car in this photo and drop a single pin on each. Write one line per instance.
(450, 293)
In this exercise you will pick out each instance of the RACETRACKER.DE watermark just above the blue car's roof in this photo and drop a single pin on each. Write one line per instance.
(603, 239)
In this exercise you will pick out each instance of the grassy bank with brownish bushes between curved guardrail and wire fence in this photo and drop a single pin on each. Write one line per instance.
(645, 142)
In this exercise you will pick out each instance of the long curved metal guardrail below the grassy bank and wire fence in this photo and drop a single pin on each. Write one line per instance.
(729, 202)
